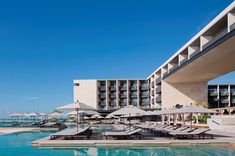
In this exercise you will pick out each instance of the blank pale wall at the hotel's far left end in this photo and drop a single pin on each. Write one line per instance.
(86, 91)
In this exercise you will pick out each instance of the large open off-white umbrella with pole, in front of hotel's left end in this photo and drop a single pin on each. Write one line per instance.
(76, 106)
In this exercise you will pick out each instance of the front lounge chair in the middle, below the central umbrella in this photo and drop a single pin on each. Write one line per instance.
(124, 134)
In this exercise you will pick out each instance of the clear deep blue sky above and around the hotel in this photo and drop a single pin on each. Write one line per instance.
(45, 45)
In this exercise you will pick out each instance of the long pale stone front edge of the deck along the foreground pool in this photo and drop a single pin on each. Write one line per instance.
(156, 141)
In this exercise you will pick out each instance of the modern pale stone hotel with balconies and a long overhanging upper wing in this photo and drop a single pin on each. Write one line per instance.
(182, 79)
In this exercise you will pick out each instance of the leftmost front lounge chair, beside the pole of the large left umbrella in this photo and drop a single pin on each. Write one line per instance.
(70, 134)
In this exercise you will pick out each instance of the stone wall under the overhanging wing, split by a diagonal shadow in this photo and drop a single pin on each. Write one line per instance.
(183, 93)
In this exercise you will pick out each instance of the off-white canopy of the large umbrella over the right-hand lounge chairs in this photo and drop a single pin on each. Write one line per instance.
(193, 109)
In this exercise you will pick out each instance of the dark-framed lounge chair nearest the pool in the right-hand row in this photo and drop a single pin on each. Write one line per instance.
(190, 133)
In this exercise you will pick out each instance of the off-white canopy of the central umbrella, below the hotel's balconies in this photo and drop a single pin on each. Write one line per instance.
(129, 111)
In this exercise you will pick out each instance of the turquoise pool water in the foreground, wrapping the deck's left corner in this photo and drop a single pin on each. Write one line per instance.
(20, 145)
